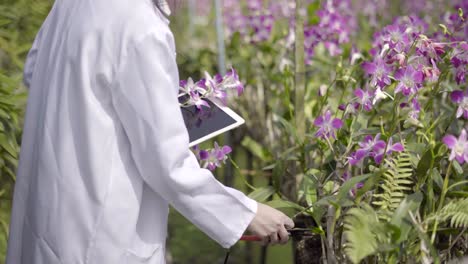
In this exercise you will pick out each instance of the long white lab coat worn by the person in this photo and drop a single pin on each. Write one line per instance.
(104, 148)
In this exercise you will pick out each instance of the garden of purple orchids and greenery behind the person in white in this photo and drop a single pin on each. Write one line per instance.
(356, 117)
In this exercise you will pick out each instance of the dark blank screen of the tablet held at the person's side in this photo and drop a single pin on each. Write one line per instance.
(201, 123)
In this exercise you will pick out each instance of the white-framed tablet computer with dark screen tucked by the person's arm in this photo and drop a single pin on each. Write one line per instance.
(208, 122)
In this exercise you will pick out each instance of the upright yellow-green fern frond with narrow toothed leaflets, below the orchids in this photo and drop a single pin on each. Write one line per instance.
(396, 183)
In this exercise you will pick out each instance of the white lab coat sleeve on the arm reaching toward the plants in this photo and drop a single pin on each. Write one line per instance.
(145, 99)
